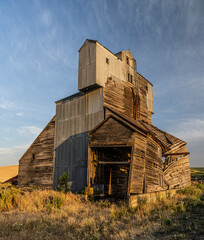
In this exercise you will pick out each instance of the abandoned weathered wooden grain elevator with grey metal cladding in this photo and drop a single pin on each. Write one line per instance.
(103, 135)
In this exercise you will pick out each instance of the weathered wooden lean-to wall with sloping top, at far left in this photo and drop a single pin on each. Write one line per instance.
(36, 165)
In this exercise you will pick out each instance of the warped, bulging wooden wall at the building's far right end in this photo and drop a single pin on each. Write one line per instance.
(177, 169)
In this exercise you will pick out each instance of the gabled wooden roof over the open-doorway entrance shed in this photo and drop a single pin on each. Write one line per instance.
(166, 140)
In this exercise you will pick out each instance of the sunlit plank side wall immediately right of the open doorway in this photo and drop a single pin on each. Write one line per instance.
(146, 167)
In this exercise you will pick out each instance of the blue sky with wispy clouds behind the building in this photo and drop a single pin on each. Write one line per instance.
(39, 42)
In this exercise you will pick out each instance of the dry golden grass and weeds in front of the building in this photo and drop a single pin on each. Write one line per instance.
(47, 214)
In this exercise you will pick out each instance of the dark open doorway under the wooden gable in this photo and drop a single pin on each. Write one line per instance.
(112, 171)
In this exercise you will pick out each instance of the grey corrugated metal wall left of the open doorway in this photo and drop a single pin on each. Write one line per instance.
(74, 119)
